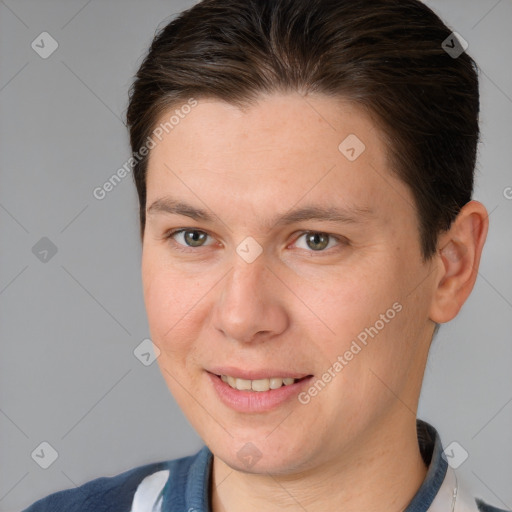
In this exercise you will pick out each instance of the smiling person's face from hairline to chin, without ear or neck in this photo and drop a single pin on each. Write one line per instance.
(276, 247)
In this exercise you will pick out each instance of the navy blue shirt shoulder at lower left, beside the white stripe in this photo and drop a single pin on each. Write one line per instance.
(106, 493)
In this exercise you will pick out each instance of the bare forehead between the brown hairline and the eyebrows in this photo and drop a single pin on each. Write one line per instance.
(282, 150)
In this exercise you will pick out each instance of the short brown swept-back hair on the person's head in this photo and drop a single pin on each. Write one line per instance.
(384, 55)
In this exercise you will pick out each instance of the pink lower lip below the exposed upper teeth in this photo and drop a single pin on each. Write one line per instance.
(256, 401)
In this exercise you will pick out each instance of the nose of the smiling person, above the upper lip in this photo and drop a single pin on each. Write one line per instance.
(250, 306)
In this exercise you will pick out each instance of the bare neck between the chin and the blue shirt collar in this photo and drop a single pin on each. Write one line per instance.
(383, 473)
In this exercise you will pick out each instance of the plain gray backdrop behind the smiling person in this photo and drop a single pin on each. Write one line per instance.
(69, 325)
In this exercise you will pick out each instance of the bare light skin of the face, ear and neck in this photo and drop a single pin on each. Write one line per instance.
(354, 444)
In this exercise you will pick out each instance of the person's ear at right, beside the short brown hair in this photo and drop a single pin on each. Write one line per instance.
(458, 254)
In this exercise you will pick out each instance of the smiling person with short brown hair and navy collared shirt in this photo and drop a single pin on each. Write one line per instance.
(305, 176)
